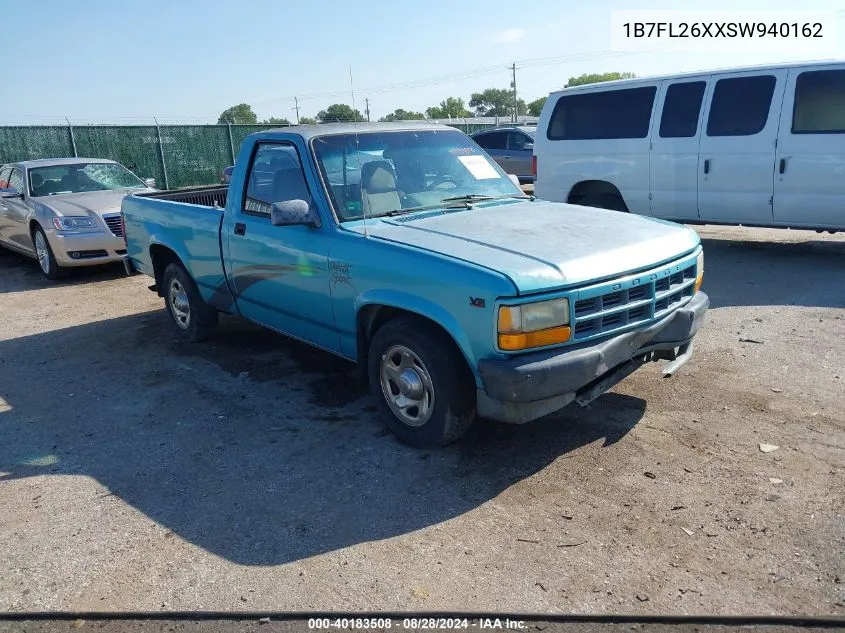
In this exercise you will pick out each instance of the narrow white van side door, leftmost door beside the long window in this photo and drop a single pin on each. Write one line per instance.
(674, 148)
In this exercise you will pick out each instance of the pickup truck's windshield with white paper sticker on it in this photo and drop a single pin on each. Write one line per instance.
(384, 173)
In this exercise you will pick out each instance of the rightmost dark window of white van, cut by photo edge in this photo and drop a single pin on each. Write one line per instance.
(819, 103)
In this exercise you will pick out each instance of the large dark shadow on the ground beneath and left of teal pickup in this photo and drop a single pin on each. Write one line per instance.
(260, 470)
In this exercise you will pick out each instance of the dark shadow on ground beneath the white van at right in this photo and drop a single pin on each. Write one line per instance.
(752, 273)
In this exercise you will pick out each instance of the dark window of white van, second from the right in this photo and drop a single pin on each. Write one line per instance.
(740, 105)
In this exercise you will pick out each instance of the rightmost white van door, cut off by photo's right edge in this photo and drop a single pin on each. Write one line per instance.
(810, 162)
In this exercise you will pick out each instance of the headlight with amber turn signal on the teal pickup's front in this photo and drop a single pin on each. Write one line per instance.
(533, 324)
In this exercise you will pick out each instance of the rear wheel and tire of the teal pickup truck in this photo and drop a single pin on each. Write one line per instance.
(191, 317)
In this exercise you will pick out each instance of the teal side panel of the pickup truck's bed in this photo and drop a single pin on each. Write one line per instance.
(185, 222)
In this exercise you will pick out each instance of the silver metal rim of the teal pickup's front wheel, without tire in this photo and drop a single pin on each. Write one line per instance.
(406, 385)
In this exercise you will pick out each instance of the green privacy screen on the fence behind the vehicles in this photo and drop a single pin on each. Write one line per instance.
(175, 155)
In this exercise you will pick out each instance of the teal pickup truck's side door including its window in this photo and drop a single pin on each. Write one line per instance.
(279, 274)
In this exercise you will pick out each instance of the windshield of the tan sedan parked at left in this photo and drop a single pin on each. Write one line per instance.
(81, 177)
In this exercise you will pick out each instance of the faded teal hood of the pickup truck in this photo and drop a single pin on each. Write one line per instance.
(541, 245)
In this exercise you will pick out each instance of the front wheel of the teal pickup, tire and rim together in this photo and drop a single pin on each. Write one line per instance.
(431, 366)
